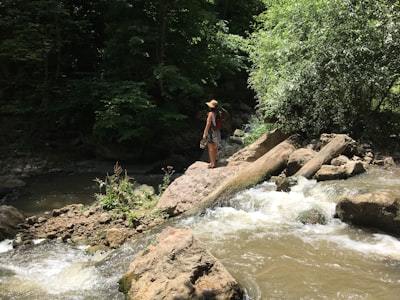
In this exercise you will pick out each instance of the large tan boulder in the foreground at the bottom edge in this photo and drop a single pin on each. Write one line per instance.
(178, 267)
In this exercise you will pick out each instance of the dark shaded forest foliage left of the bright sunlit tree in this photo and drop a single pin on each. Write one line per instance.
(117, 72)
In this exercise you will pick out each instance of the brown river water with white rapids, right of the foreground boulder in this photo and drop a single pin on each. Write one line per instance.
(264, 245)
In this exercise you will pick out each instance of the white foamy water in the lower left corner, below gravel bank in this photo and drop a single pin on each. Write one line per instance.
(52, 271)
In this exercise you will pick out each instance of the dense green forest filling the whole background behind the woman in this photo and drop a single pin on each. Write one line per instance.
(134, 74)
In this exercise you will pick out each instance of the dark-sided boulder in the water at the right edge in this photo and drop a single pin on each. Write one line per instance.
(376, 210)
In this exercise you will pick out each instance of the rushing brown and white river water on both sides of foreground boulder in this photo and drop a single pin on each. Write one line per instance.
(257, 237)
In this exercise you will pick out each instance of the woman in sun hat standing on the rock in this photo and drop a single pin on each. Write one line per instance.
(212, 135)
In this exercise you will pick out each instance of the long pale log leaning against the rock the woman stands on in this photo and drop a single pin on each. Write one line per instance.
(271, 163)
